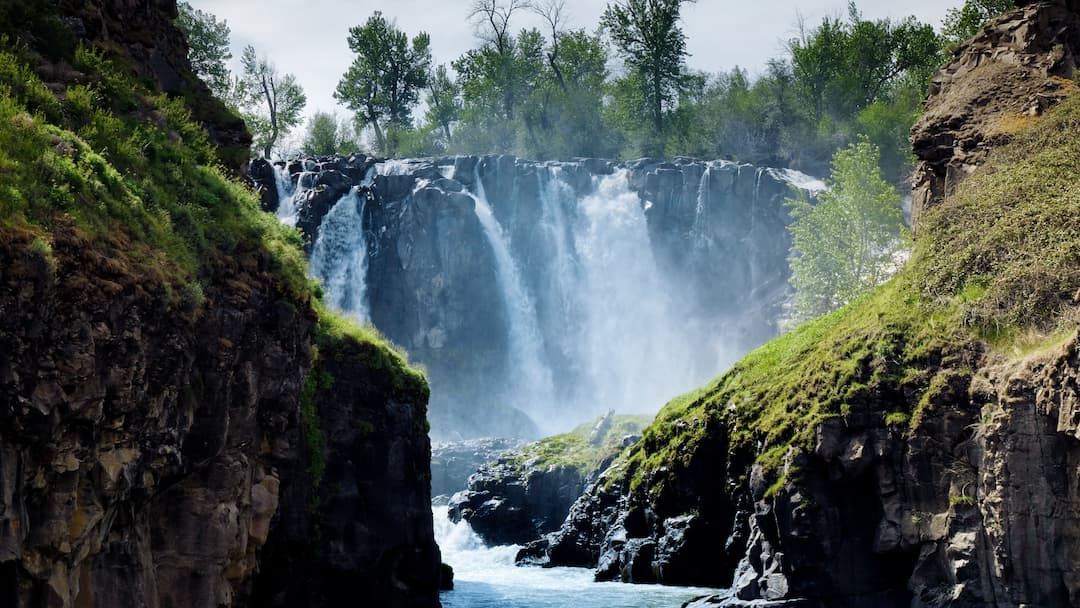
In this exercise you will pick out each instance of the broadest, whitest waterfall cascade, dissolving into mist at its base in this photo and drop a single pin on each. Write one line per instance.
(633, 350)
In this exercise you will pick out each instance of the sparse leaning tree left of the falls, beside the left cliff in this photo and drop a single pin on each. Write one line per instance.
(274, 102)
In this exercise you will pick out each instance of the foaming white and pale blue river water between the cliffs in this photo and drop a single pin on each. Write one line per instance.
(488, 578)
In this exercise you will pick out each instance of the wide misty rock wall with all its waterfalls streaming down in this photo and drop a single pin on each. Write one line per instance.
(542, 294)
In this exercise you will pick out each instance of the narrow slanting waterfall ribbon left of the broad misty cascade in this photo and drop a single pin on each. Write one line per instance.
(531, 380)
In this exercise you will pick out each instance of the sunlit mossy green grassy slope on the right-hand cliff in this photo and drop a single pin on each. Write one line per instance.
(996, 269)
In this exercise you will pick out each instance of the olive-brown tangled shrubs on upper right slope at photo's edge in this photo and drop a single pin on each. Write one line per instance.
(1007, 240)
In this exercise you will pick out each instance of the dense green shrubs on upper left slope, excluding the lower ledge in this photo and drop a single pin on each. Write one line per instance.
(129, 168)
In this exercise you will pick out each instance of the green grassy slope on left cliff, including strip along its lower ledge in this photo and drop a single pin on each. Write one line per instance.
(102, 163)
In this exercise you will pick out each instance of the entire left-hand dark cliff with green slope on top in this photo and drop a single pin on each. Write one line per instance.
(182, 422)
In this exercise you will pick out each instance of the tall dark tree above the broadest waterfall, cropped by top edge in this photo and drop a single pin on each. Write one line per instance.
(653, 45)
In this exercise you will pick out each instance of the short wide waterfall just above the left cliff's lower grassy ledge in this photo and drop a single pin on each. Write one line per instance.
(340, 256)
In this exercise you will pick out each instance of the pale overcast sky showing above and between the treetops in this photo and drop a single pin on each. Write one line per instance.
(308, 37)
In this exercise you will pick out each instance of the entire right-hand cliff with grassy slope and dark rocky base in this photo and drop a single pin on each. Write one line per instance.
(917, 448)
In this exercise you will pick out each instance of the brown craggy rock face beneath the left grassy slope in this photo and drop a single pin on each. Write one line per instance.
(142, 450)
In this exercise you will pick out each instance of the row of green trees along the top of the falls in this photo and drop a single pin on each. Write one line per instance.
(619, 89)
